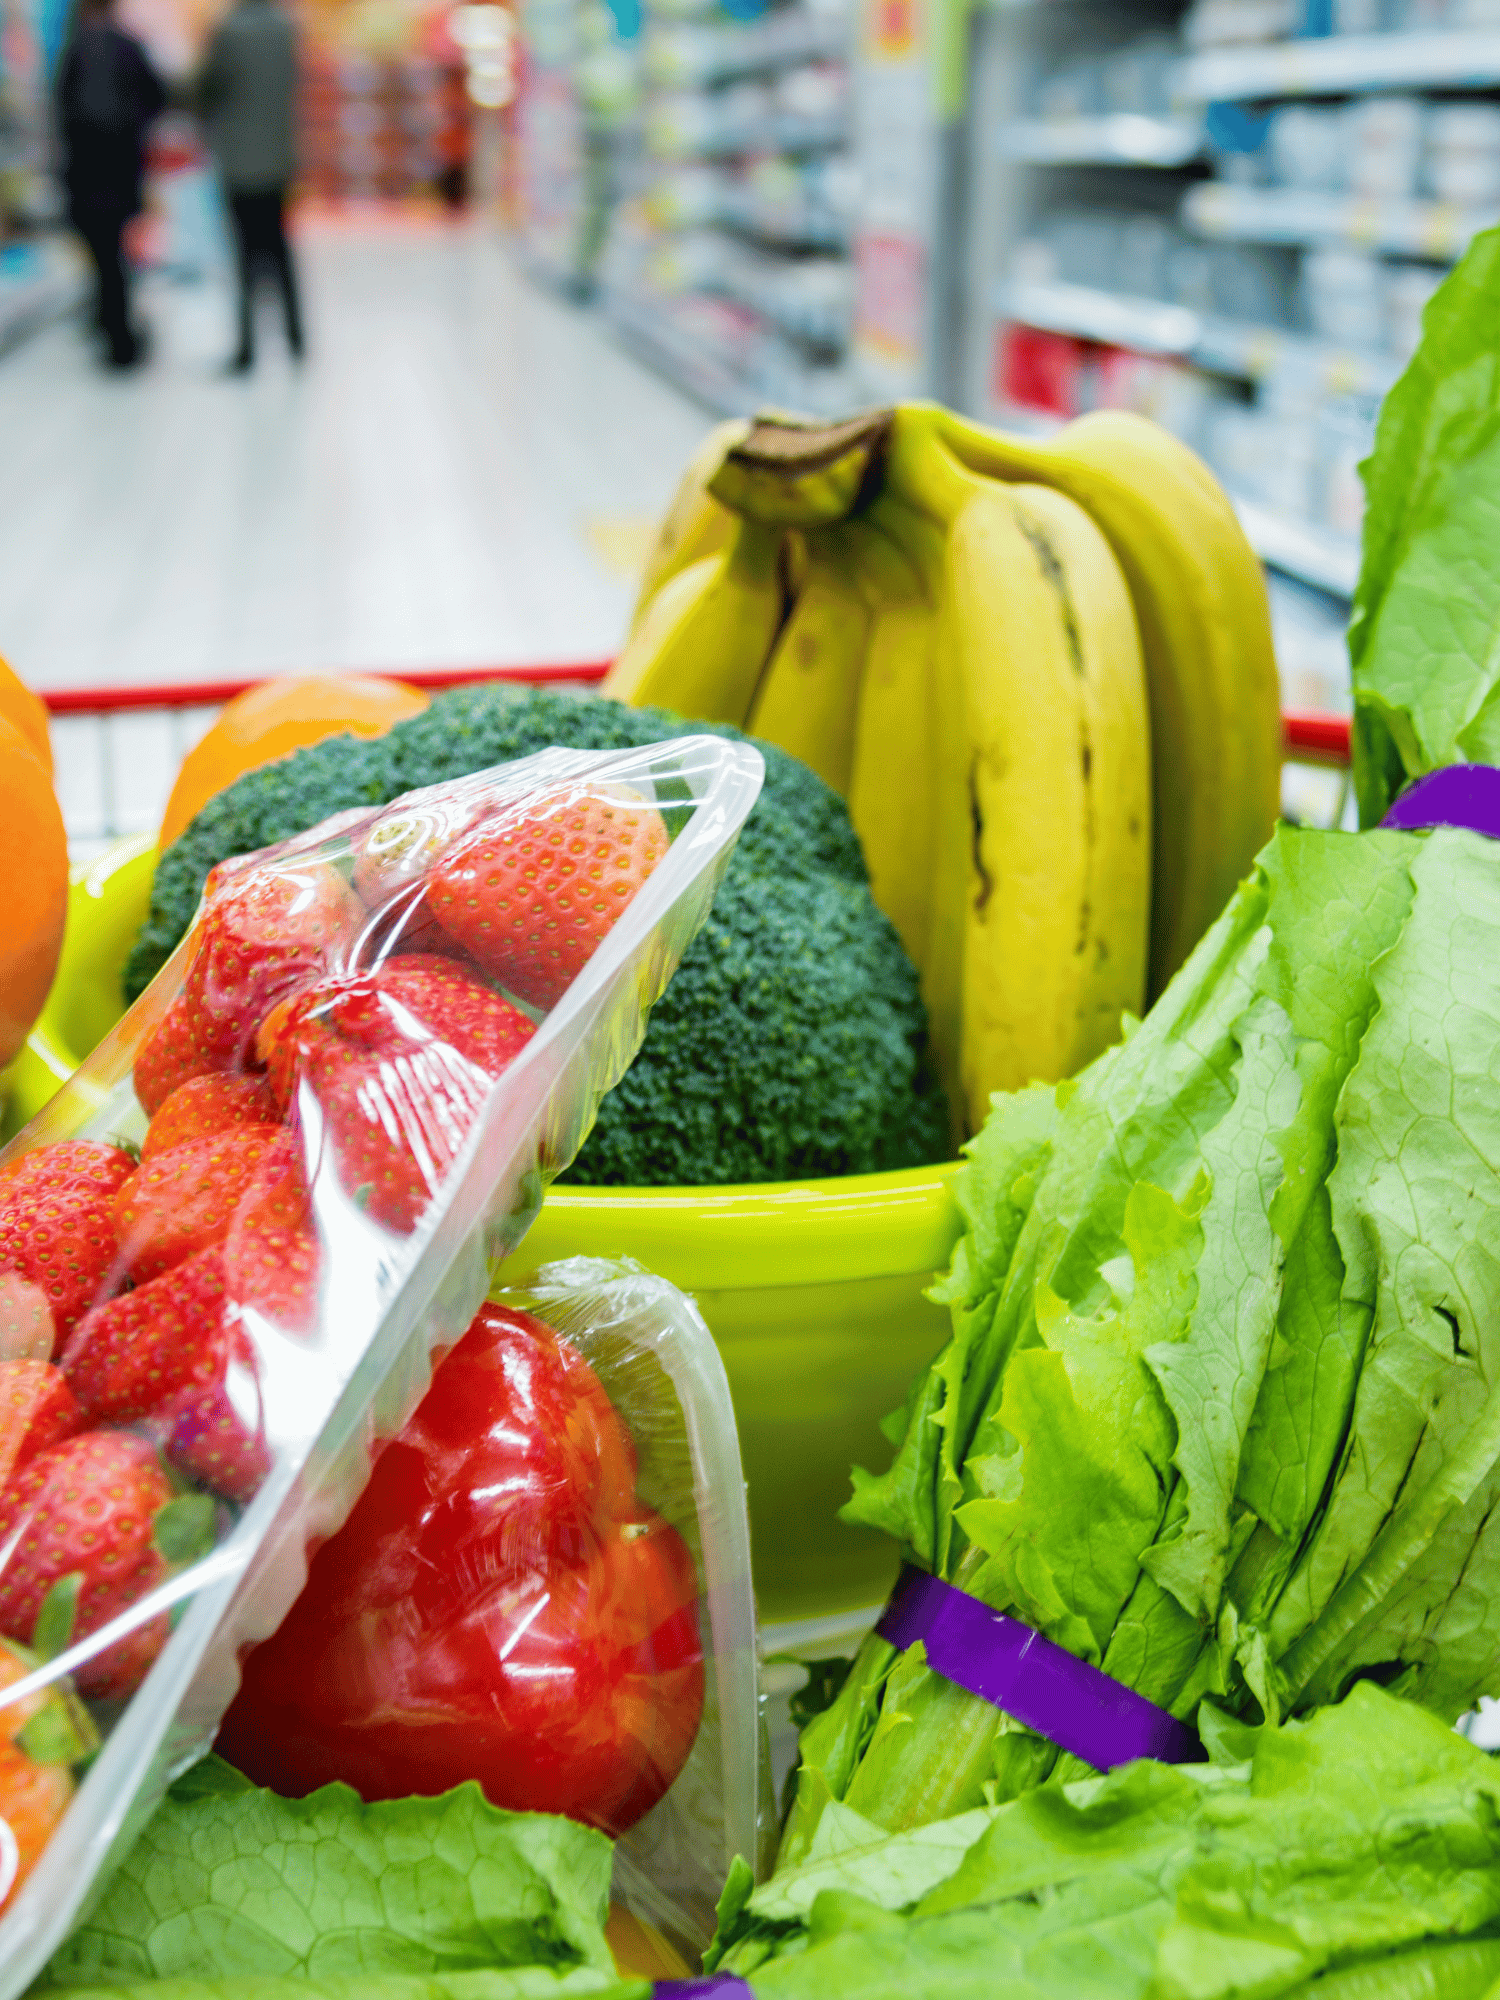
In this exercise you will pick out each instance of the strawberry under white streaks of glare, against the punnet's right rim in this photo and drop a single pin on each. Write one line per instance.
(401, 1063)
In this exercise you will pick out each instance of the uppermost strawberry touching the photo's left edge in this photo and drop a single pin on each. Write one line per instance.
(57, 1227)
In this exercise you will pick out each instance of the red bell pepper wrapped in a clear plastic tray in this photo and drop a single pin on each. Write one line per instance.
(545, 1589)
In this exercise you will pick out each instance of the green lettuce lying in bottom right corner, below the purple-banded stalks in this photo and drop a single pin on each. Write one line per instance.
(1359, 1839)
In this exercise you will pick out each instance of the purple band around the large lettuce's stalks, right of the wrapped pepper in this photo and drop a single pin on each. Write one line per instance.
(1051, 1691)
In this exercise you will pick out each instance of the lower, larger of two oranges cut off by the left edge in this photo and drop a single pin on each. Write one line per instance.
(37, 889)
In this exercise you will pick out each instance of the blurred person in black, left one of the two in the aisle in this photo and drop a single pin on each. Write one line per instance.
(107, 99)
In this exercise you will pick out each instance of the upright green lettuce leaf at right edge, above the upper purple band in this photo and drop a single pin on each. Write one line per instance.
(1425, 645)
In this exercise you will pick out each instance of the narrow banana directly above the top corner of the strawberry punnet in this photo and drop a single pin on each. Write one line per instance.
(809, 693)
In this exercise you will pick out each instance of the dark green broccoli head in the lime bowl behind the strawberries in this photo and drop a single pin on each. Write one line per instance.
(793, 1039)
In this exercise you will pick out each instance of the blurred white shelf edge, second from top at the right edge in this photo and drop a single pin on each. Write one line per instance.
(1309, 217)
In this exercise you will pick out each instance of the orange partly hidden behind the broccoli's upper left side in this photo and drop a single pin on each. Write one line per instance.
(275, 719)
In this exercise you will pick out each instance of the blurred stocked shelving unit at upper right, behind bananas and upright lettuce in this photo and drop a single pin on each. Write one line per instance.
(1249, 257)
